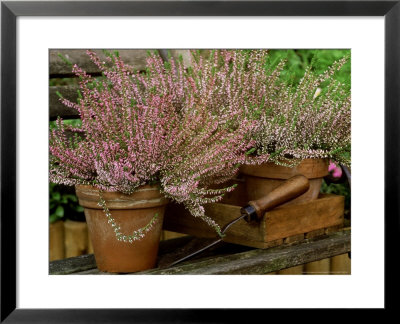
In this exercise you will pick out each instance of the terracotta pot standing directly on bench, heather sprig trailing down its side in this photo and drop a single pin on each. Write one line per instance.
(130, 212)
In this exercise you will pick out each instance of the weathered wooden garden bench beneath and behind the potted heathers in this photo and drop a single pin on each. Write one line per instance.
(224, 258)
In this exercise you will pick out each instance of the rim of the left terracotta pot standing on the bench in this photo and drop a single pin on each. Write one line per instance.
(146, 196)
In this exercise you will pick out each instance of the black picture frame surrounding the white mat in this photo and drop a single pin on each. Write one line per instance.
(10, 10)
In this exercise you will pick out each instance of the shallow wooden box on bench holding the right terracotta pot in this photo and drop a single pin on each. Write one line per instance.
(283, 224)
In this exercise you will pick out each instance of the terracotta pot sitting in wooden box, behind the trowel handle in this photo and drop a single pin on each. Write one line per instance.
(262, 179)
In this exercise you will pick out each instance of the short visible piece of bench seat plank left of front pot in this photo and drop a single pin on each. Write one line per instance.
(72, 265)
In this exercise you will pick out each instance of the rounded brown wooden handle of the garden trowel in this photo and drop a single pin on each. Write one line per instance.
(285, 192)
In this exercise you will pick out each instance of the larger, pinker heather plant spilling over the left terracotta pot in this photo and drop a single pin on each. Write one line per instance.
(185, 130)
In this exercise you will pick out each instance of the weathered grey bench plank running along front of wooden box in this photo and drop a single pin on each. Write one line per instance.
(264, 261)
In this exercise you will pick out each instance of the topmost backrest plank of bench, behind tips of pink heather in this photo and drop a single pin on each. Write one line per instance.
(60, 68)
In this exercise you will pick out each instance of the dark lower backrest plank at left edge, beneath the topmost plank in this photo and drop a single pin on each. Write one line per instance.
(57, 108)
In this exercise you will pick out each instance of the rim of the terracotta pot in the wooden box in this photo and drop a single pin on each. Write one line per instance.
(310, 168)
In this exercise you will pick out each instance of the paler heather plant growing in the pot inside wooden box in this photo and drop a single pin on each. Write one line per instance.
(310, 120)
